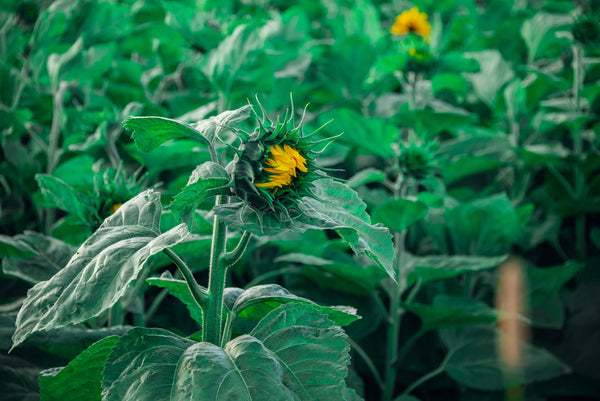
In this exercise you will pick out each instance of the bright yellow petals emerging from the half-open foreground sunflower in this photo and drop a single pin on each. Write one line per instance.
(282, 166)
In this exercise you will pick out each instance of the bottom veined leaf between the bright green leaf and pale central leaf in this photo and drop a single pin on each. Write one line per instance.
(142, 365)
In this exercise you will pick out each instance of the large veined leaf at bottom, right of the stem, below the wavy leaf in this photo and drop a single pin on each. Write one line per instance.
(312, 351)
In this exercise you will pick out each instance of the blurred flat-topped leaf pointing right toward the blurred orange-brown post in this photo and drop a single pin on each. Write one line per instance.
(439, 267)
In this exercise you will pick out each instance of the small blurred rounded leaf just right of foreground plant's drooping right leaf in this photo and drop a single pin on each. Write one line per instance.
(398, 214)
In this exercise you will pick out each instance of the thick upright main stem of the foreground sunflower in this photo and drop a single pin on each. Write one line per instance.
(216, 282)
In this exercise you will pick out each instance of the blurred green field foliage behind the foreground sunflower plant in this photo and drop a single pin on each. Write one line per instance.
(498, 132)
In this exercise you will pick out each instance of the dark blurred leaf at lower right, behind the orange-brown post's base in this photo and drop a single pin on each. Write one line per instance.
(474, 360)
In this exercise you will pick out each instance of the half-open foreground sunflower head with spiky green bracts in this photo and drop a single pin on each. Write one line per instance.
(274, 167)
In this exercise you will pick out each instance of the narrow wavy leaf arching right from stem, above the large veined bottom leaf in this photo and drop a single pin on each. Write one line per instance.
(257, 301)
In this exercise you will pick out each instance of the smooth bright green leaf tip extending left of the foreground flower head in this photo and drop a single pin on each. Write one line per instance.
(150, 132)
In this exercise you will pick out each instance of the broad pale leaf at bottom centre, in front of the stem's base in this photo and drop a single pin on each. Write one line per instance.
(244, 370)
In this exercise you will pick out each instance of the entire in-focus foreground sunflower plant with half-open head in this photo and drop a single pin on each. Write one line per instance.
(258, 343)
